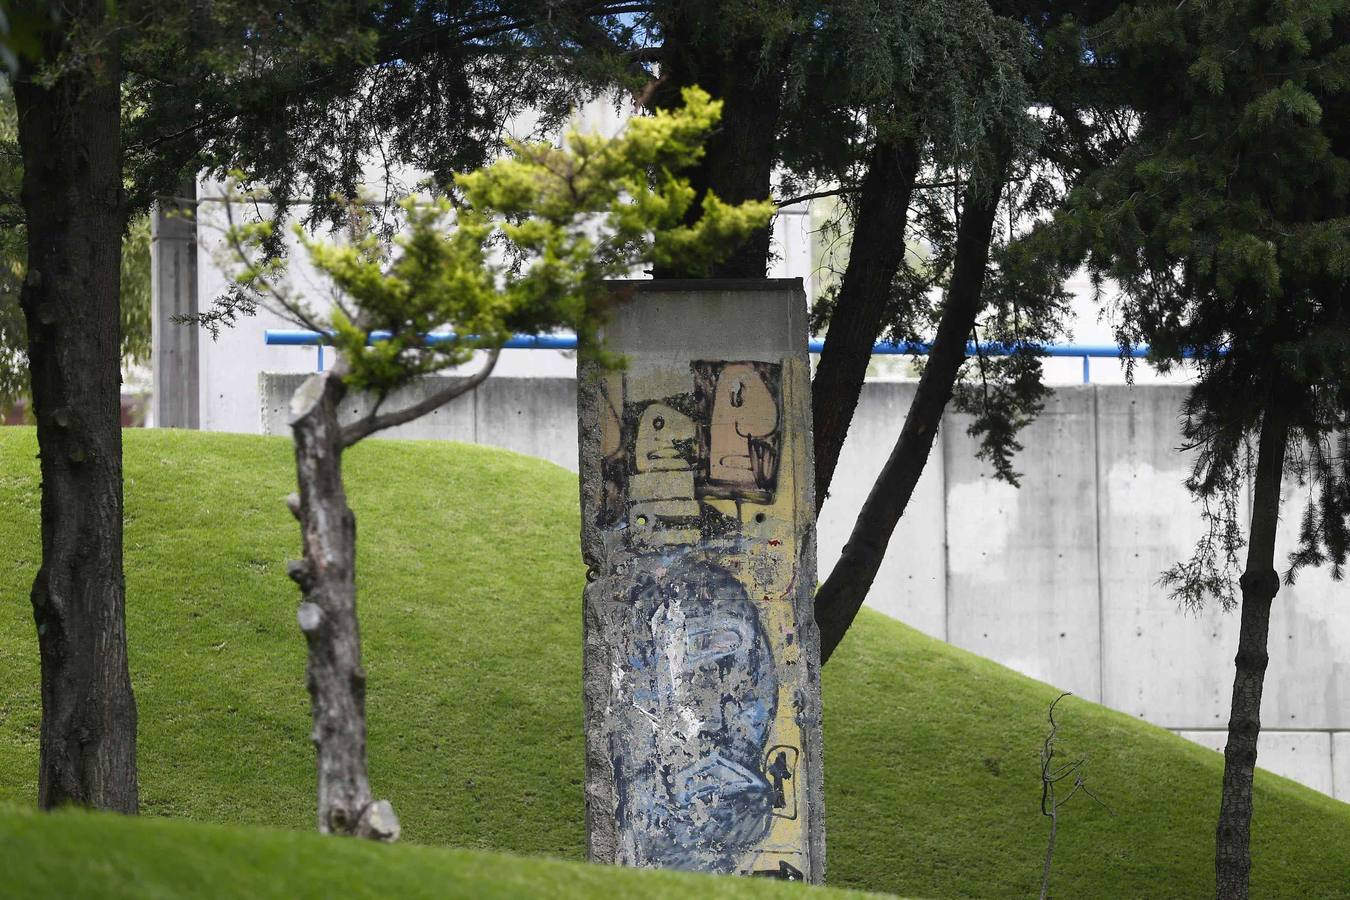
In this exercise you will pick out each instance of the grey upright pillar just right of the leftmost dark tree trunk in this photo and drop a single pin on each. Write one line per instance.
(173, 292)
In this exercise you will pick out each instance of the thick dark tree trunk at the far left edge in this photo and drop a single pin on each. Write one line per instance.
(70, 136)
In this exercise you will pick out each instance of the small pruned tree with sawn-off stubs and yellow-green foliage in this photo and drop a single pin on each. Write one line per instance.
(527, 249)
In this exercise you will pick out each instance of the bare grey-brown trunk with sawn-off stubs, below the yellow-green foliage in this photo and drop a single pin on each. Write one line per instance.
(327, 577)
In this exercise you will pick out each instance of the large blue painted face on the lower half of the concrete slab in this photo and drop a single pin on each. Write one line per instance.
(704, 698)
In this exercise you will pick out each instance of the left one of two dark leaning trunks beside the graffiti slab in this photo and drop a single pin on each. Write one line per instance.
(875, 256)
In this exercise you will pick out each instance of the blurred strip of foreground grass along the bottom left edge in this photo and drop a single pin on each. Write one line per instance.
(76, 855)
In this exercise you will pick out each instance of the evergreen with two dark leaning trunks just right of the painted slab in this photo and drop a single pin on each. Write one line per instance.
(955, 99)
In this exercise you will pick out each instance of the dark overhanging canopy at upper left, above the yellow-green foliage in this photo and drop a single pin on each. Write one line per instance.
(304, 96)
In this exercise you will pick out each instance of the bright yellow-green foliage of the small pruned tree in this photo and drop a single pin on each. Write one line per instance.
(526, 248)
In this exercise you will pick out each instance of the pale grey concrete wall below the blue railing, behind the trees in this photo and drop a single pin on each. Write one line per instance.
(1058, 580)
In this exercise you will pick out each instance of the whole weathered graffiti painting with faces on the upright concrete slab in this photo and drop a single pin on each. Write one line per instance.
(704, 746)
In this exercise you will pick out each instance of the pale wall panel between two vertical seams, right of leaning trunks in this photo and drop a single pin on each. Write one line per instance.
(1023, 563)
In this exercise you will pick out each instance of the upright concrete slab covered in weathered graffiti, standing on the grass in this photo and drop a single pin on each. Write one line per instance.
(701, 652)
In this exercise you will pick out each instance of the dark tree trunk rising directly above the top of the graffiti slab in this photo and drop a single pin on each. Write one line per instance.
(740, 154)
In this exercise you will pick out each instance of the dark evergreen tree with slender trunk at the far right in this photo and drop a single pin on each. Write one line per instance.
(1224, 223)
